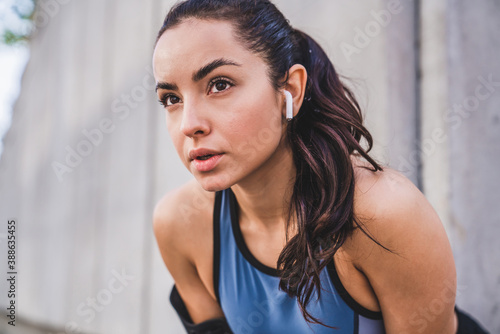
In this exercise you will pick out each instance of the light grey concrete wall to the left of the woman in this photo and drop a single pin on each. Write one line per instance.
(87, 258)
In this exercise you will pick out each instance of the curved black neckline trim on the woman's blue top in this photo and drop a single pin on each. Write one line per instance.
(240, 241)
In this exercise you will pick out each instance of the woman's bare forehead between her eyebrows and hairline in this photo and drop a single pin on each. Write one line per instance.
(194, 42)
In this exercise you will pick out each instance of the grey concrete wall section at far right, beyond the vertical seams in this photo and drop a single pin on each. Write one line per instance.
(474, 142)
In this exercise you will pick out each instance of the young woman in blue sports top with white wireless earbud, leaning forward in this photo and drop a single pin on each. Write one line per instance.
(288, 226)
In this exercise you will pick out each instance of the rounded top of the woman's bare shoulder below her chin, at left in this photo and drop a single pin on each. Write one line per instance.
(181, 216)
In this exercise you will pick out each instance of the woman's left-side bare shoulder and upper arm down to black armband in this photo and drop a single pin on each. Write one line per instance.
(182, 224)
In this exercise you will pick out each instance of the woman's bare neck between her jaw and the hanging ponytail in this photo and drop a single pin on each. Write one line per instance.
(264, 195)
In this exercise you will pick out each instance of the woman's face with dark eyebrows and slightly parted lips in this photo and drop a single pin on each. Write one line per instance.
(230, 109)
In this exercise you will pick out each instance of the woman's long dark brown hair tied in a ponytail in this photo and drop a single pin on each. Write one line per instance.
(326, 131)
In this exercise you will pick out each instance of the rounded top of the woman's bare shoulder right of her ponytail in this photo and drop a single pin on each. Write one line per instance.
(391, 208)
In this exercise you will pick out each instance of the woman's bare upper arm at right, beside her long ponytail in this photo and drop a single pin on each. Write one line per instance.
(415, 284)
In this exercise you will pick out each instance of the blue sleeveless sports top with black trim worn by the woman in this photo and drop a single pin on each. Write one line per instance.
(248, 291)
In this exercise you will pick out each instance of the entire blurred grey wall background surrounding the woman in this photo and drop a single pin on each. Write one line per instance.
(86, 155)
